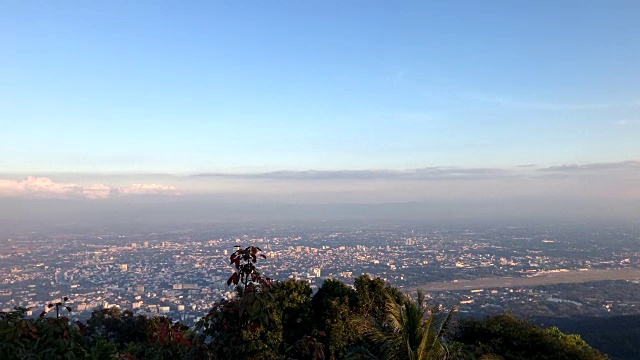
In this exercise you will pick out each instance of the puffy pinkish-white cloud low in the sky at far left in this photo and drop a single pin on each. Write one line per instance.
(44, 187)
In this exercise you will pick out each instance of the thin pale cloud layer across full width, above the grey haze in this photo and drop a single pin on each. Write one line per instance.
(595, 180)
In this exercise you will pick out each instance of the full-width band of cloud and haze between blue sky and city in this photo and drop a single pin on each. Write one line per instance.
(573, 192)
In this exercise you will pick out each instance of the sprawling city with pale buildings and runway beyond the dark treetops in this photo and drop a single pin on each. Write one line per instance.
(529, 270)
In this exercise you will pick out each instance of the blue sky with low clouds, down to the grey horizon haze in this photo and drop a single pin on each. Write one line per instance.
(320, 101)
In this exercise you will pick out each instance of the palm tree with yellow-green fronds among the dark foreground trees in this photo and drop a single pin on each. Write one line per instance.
(411, 331)
